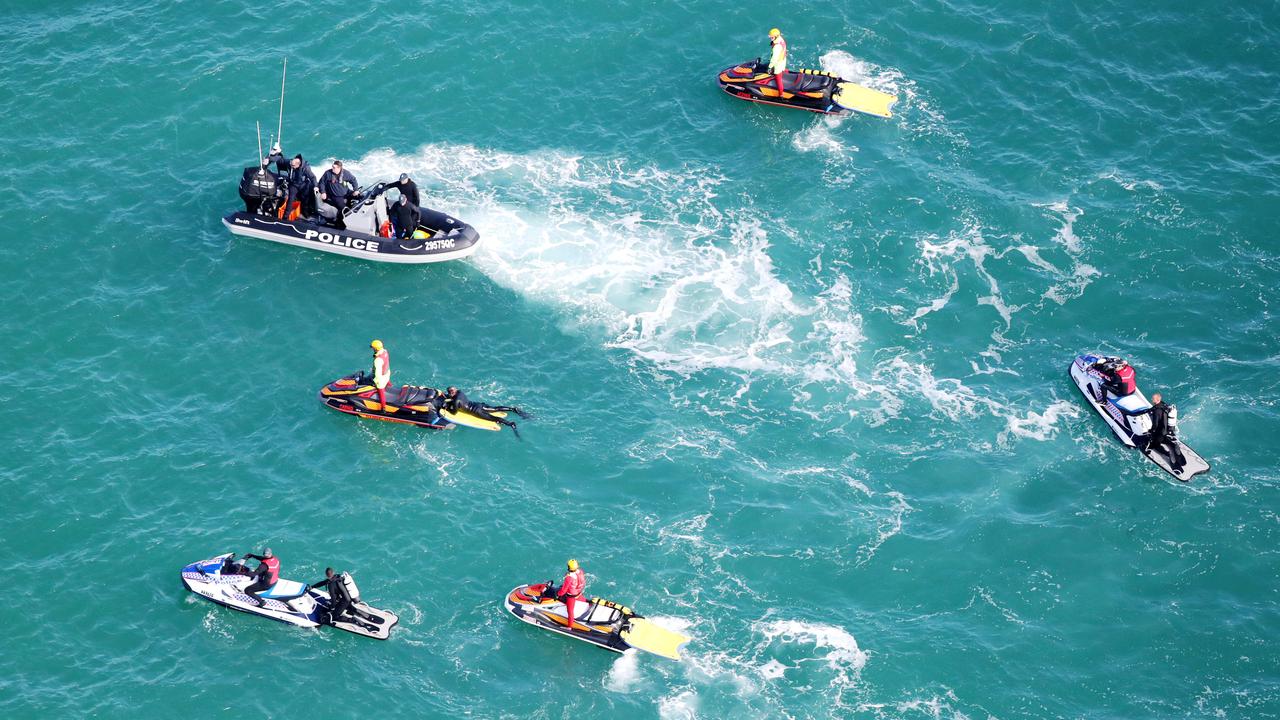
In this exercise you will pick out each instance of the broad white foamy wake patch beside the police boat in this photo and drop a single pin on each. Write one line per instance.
(644, 254)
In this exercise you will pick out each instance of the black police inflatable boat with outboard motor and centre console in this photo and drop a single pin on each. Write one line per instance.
(367, 227)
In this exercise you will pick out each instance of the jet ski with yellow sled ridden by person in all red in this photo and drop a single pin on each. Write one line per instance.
(598, 622)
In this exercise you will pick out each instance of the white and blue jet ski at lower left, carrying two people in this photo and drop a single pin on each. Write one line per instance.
(223, 581)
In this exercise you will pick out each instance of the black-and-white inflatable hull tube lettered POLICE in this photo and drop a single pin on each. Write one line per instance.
(452, 245)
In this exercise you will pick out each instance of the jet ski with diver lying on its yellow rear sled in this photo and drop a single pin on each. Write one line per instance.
(415, 405)
